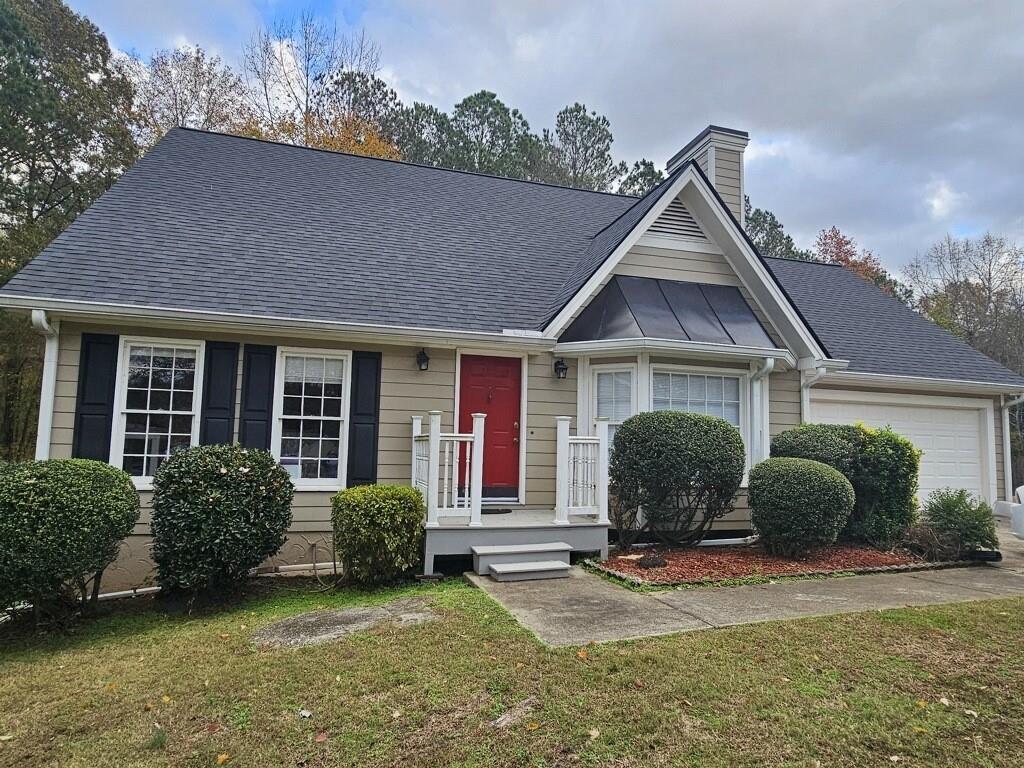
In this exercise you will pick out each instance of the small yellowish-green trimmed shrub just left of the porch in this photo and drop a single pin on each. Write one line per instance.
(378, 532)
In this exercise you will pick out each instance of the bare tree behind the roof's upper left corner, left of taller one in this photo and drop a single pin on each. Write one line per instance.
(186, 88)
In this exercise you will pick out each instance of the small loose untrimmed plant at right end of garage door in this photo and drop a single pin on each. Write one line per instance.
(954, 525)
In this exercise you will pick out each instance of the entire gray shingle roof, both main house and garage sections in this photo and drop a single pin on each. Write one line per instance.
(210, 223)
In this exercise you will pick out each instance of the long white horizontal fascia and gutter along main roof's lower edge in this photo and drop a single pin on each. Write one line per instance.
(271, 325)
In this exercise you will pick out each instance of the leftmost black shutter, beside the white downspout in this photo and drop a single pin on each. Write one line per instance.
(98, 370)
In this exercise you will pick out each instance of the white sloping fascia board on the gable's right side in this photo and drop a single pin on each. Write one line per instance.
(752, 272)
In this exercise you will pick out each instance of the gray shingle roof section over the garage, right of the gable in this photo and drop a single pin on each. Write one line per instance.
(877, 333)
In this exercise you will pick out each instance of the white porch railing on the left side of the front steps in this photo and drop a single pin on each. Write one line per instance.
(448, 468)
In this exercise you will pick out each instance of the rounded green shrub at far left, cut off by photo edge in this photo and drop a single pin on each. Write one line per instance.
(62, 524)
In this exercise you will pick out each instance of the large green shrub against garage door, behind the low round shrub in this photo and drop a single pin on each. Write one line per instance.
(881, 465)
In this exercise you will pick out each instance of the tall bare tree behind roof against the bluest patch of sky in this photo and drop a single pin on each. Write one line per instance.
(291, 67)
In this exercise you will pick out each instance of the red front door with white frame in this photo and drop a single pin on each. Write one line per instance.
(494, 387)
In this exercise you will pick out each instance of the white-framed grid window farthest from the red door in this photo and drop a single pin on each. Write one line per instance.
(158, 387)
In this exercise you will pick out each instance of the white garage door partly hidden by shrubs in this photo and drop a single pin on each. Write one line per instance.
(951, 439)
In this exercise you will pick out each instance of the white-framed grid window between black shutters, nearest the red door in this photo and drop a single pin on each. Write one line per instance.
(312, 405)
